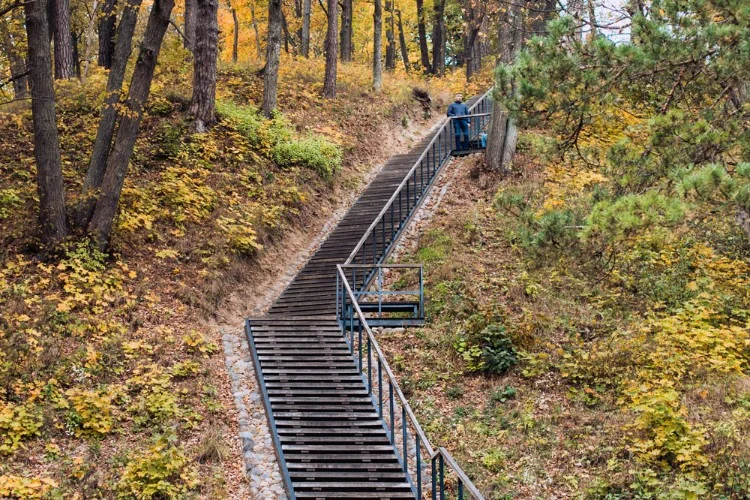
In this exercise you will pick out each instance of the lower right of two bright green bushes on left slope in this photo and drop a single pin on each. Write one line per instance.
(314, 153)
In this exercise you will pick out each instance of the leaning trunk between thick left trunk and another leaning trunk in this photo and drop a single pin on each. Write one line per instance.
(105, 131)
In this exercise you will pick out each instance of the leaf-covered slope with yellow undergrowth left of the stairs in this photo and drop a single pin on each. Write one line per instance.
(109, 382)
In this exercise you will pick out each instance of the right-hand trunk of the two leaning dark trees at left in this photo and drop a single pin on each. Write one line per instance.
(140, 85)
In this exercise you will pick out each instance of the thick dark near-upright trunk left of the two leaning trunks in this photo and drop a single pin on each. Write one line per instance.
(46, 141)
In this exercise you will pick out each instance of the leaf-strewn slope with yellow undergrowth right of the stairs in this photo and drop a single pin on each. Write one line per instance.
(631, 381)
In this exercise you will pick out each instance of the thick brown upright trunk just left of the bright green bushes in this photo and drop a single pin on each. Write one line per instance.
(203, 105)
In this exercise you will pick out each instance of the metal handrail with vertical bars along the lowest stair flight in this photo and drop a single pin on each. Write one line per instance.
(378, 377)
